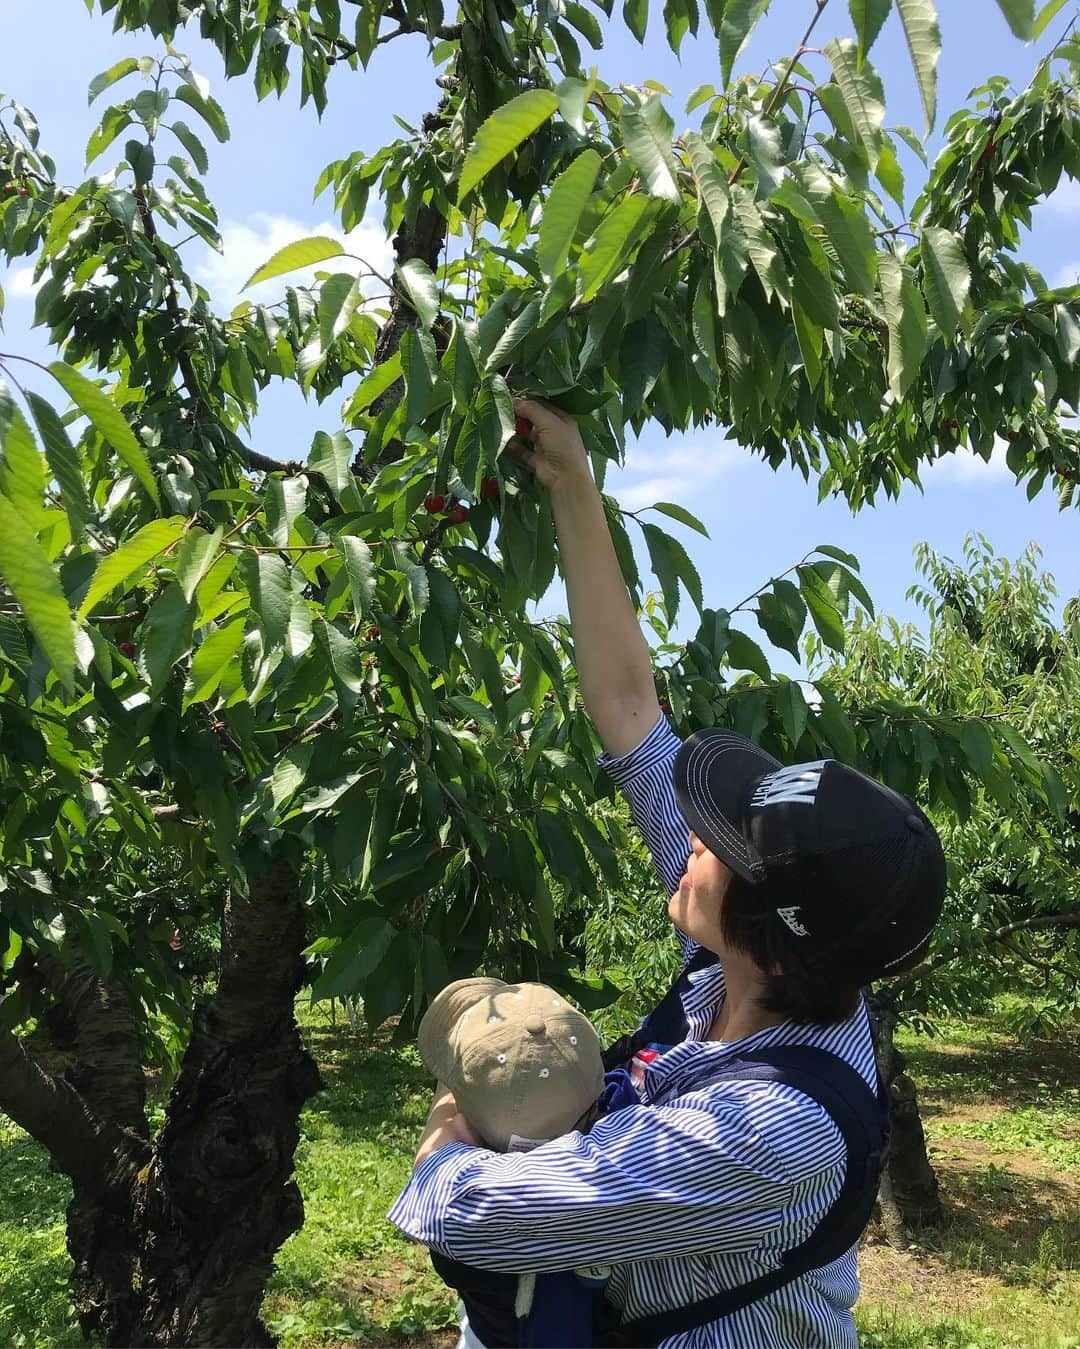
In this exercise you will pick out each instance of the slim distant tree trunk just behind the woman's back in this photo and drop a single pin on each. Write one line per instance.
(909, 1196)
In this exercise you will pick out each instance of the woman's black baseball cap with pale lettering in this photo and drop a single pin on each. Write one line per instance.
(853, 869)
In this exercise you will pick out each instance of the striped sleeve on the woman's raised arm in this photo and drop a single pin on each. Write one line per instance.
(645, 778)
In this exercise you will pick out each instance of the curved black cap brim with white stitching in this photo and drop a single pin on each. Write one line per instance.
(715, 775)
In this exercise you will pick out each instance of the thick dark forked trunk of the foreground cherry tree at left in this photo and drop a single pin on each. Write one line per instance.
(173, 1242)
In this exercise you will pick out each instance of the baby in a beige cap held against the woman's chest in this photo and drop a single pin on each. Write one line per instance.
(525, 1066)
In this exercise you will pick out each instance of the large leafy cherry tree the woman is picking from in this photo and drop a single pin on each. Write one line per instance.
(308, 701)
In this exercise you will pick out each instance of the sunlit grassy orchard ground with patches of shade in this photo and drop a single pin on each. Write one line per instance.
(1002, 1119)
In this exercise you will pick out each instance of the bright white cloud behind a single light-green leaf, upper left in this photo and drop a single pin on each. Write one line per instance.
(249, 243)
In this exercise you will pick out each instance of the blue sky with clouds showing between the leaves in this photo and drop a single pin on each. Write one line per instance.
(760, 521)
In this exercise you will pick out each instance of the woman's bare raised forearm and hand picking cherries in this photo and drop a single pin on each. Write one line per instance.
(613, 656)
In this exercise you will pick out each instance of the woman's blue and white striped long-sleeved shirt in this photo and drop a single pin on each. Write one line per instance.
(700, 1193)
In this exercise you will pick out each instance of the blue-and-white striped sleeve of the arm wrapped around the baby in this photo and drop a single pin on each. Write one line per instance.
(644, 1185)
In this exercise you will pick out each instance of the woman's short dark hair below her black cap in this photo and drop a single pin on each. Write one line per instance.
(798, 991)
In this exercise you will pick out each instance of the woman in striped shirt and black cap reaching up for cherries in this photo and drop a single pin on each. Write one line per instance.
(806, 883)
